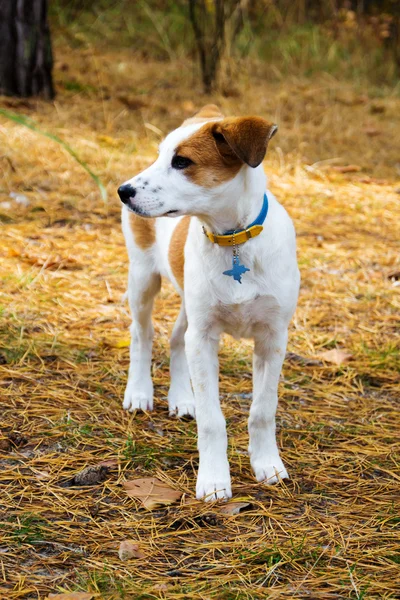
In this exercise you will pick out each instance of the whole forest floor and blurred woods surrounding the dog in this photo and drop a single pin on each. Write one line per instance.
(77, 122)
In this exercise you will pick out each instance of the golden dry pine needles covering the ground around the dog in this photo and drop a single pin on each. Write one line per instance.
(332, 530)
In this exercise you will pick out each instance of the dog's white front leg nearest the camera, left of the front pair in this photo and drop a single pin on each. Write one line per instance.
(213, 479)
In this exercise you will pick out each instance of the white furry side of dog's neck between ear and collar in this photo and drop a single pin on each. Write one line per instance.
(239, 203)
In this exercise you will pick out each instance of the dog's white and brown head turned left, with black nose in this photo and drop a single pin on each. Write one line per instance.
(196, 164)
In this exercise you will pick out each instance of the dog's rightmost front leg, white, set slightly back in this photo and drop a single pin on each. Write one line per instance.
(269, 353)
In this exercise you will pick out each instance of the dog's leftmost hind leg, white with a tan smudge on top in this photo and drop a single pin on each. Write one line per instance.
(143, 285)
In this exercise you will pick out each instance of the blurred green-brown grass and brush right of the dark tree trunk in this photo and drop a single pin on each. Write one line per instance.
(354, 39)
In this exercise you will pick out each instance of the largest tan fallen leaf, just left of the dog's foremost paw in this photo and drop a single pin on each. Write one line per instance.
(151, 492)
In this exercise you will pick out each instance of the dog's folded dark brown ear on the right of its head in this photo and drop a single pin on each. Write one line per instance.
(244, 137)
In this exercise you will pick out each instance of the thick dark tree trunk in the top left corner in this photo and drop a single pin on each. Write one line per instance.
(26, 60)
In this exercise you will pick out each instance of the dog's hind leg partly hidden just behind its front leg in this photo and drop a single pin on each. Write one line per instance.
(180, 395)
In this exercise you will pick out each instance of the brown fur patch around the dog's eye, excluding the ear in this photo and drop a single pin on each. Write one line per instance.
(213, 161)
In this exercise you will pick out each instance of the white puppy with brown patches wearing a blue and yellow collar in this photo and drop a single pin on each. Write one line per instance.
(231, 255)
